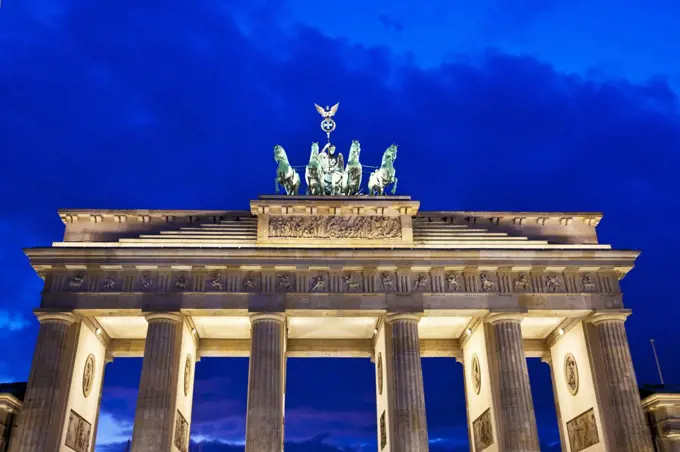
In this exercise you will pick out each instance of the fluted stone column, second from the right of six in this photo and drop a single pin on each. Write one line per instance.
(516, 407)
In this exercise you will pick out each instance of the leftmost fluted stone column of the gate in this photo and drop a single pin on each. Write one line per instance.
(39, 421)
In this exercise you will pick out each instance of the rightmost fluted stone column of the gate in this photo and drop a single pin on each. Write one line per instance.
(630, 430)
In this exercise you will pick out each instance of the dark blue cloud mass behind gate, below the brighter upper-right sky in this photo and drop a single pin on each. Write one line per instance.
(179, 106)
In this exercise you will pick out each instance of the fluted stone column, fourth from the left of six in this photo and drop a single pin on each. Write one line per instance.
(407, 398)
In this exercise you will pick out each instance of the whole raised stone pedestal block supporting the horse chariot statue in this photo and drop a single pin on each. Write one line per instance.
(334, 222)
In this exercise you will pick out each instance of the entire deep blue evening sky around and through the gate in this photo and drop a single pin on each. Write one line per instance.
(498, 104)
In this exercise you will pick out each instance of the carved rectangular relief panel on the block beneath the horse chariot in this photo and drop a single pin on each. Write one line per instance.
(360, 227)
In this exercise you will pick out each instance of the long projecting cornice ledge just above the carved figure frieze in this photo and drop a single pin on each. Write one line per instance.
(46, 260)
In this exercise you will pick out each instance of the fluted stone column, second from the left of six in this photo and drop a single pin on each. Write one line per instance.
(156, 402)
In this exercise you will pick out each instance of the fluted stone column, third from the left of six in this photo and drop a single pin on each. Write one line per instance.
(266, 380)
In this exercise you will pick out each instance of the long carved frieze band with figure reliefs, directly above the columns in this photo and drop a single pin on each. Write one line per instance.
(237, 281)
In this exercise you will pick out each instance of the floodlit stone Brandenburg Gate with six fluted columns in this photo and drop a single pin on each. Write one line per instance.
(335, 276)
